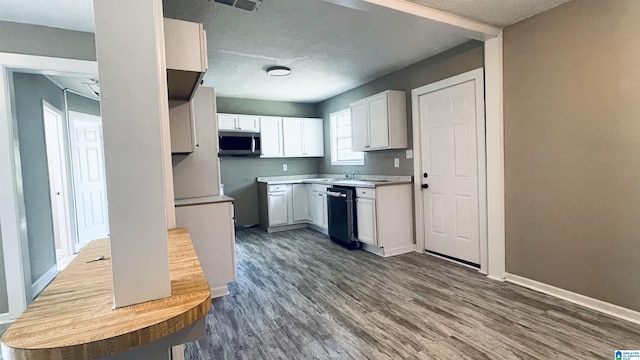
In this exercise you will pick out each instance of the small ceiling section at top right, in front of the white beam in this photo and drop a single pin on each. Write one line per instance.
(496, 12)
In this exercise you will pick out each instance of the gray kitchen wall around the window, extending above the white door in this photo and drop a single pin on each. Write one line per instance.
(463, 58)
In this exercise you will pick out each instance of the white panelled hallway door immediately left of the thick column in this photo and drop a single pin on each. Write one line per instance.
(89, 178)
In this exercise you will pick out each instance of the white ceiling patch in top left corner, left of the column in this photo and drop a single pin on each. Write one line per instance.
(66, 14)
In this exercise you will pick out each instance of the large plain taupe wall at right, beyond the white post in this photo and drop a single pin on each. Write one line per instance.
(572, 138)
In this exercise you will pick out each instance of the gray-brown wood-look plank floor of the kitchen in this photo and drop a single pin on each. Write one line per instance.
(299, 296)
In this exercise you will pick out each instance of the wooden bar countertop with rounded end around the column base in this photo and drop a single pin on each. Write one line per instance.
(73, 318)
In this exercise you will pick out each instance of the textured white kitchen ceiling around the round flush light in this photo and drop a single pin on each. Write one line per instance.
(330, 48)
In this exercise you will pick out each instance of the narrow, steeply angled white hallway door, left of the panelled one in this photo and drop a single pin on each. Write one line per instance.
(56, 162)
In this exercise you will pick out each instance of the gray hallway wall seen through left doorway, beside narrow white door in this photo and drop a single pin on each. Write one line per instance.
(30, 90)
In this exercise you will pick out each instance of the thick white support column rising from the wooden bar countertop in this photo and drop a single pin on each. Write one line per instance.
(131, 64)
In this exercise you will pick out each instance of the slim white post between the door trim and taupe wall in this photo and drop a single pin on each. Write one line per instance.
(495, 157)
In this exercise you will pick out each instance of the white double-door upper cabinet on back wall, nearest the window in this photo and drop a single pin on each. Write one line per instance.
(303, 137)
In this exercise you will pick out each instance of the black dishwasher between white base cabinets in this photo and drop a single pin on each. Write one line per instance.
(342, 215)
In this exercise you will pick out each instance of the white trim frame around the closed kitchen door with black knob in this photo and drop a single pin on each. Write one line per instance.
(477, 76)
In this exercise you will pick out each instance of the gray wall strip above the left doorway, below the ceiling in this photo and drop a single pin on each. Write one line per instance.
(41, 40)
